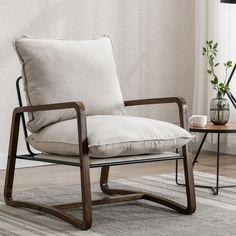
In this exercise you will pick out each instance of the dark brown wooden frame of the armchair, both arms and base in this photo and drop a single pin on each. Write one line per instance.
(85, 164)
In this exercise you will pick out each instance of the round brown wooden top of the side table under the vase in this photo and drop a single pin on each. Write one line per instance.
(211, 128)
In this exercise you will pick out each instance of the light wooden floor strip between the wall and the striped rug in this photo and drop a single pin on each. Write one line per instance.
(54, 175)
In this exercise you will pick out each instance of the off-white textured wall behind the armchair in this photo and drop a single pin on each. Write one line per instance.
(153, 45)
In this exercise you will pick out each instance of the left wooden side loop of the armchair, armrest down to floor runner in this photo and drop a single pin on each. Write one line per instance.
(86, 221)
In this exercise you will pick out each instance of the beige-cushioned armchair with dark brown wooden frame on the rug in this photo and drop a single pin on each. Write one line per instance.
(94, 132)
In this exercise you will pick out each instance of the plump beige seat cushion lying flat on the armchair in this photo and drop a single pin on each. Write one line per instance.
(110, 135)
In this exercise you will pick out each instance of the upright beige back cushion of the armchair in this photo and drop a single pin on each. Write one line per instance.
(57, 71)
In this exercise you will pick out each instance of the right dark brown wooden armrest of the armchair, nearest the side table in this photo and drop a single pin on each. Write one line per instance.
(182, 105)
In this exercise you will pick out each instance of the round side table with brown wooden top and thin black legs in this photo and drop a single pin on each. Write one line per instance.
(217, 129)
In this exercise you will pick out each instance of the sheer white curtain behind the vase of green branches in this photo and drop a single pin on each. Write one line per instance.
(215, 21)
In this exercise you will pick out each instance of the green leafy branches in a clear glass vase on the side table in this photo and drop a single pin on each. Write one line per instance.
(219, 106)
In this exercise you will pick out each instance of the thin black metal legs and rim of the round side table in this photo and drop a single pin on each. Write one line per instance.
(215, 189)
